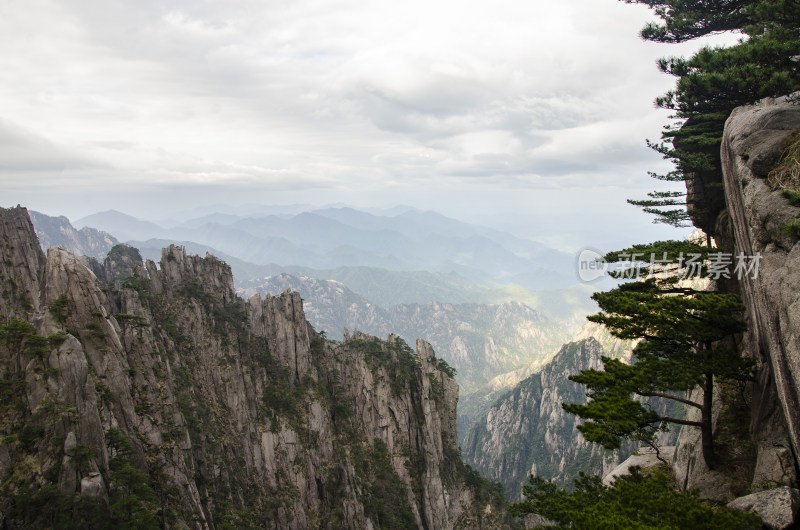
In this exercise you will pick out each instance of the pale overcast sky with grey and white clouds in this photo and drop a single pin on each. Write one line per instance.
(530, 114)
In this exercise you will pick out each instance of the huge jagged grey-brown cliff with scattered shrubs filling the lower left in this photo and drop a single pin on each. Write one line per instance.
(153, 394)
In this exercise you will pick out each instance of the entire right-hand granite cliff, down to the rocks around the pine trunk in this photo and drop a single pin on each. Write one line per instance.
(752, 224)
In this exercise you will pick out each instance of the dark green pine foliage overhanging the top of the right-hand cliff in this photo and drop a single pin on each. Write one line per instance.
(710, 85)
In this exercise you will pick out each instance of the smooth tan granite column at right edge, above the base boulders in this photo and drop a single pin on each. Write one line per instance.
(754, 138)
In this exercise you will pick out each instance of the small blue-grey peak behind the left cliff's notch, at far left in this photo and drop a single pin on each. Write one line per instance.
(58, 232)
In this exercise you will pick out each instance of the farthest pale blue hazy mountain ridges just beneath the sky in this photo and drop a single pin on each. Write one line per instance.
(343, 237)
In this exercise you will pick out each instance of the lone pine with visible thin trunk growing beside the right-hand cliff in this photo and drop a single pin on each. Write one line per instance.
(682, 332)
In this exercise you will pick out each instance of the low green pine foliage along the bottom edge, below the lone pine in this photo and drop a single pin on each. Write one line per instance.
(636, 501)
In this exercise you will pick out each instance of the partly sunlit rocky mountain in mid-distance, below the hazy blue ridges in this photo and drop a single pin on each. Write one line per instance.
(480, 340)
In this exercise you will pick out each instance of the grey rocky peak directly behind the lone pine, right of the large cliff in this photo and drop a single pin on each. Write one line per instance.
(526, 431)
